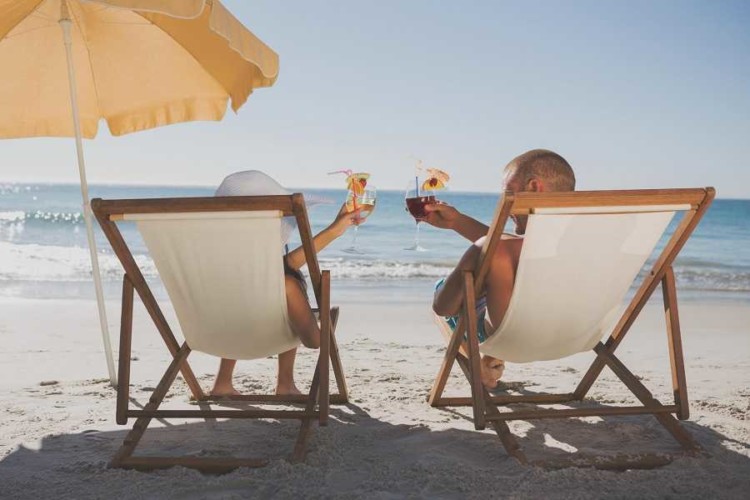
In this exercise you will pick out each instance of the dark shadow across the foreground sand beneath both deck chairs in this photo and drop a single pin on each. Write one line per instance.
(361, 456)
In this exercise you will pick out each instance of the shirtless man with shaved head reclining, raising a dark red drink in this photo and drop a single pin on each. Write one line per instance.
(538, 170)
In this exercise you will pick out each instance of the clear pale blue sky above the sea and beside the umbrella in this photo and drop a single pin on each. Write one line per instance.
(635, 94)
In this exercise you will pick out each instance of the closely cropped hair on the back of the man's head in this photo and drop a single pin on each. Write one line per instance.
(545, 165)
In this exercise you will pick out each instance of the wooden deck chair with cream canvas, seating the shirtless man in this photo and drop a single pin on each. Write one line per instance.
(581, 253)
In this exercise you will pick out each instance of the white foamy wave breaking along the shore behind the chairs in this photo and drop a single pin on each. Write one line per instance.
(45, 263)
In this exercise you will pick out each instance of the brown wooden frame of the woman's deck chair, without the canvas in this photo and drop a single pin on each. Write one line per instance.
(316, 402)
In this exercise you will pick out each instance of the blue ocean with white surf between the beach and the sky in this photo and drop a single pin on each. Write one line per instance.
(43, 251)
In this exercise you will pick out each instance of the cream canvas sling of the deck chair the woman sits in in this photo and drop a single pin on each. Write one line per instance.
(225, 278)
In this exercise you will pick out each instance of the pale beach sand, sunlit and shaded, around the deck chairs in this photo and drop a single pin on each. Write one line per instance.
(57, 429)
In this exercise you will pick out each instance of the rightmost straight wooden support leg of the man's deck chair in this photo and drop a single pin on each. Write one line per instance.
(679, 384)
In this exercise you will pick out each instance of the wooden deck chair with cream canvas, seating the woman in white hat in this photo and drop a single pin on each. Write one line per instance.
(220, 260)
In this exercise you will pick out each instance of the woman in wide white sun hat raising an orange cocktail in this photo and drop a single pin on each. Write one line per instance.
(301, 317)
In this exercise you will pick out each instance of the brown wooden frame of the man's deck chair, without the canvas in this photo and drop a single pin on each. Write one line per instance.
(485, 406)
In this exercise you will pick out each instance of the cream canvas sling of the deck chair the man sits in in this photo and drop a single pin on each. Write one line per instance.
(574, 271)
